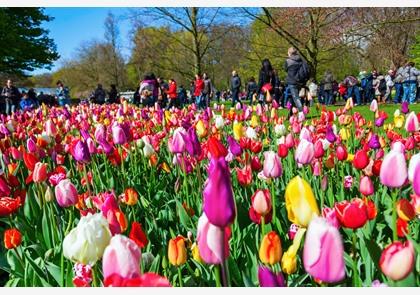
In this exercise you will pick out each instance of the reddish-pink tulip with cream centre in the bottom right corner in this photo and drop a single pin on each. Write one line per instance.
(397, 260)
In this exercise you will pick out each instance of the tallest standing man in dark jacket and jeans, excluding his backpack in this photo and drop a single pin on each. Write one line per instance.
(291, 66)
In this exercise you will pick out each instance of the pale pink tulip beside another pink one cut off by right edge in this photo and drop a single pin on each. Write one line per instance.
(393, 171)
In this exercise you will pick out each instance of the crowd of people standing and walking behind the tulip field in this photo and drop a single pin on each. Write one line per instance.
(297, 89)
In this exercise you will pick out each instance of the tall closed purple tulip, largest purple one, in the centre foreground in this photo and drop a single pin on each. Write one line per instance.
(218, 203)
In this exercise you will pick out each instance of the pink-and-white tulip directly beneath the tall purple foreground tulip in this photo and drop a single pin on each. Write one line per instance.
(213, 241)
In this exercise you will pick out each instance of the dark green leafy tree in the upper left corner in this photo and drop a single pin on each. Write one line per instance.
(25, 45)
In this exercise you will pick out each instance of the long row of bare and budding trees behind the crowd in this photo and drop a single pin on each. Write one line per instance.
(179, 42)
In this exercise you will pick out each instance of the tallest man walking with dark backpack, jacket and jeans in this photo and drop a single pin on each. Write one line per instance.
(297, 75)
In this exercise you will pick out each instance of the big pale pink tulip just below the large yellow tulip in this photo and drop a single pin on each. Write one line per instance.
(323, 253)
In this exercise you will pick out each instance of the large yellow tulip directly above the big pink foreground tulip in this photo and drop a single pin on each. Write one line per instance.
(300, 202)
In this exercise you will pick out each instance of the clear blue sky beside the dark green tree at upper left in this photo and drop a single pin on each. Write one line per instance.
(73, 26)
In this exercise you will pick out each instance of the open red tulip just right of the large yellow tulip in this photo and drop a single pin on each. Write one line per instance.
(352, 214)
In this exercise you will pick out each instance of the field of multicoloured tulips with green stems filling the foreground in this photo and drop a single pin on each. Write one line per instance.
(118, 195)
